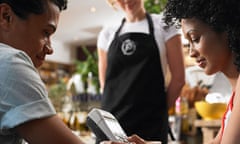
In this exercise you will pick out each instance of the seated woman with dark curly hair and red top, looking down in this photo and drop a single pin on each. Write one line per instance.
(212, 28)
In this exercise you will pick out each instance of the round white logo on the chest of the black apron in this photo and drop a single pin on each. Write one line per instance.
(128, 47)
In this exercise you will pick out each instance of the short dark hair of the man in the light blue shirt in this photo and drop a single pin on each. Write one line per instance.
(23, 8)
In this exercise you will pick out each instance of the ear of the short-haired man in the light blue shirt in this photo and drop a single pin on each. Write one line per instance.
(5, 15)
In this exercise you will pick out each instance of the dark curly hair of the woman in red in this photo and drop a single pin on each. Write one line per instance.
(220, 15)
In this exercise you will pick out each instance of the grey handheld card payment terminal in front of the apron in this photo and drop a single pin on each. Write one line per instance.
(105, 126)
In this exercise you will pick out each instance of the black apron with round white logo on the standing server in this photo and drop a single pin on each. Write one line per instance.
(134, 88)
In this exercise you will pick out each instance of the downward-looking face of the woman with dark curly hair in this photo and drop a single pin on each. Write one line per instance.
(208, 47)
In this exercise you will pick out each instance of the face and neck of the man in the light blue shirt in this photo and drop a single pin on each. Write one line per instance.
(33, 35)
